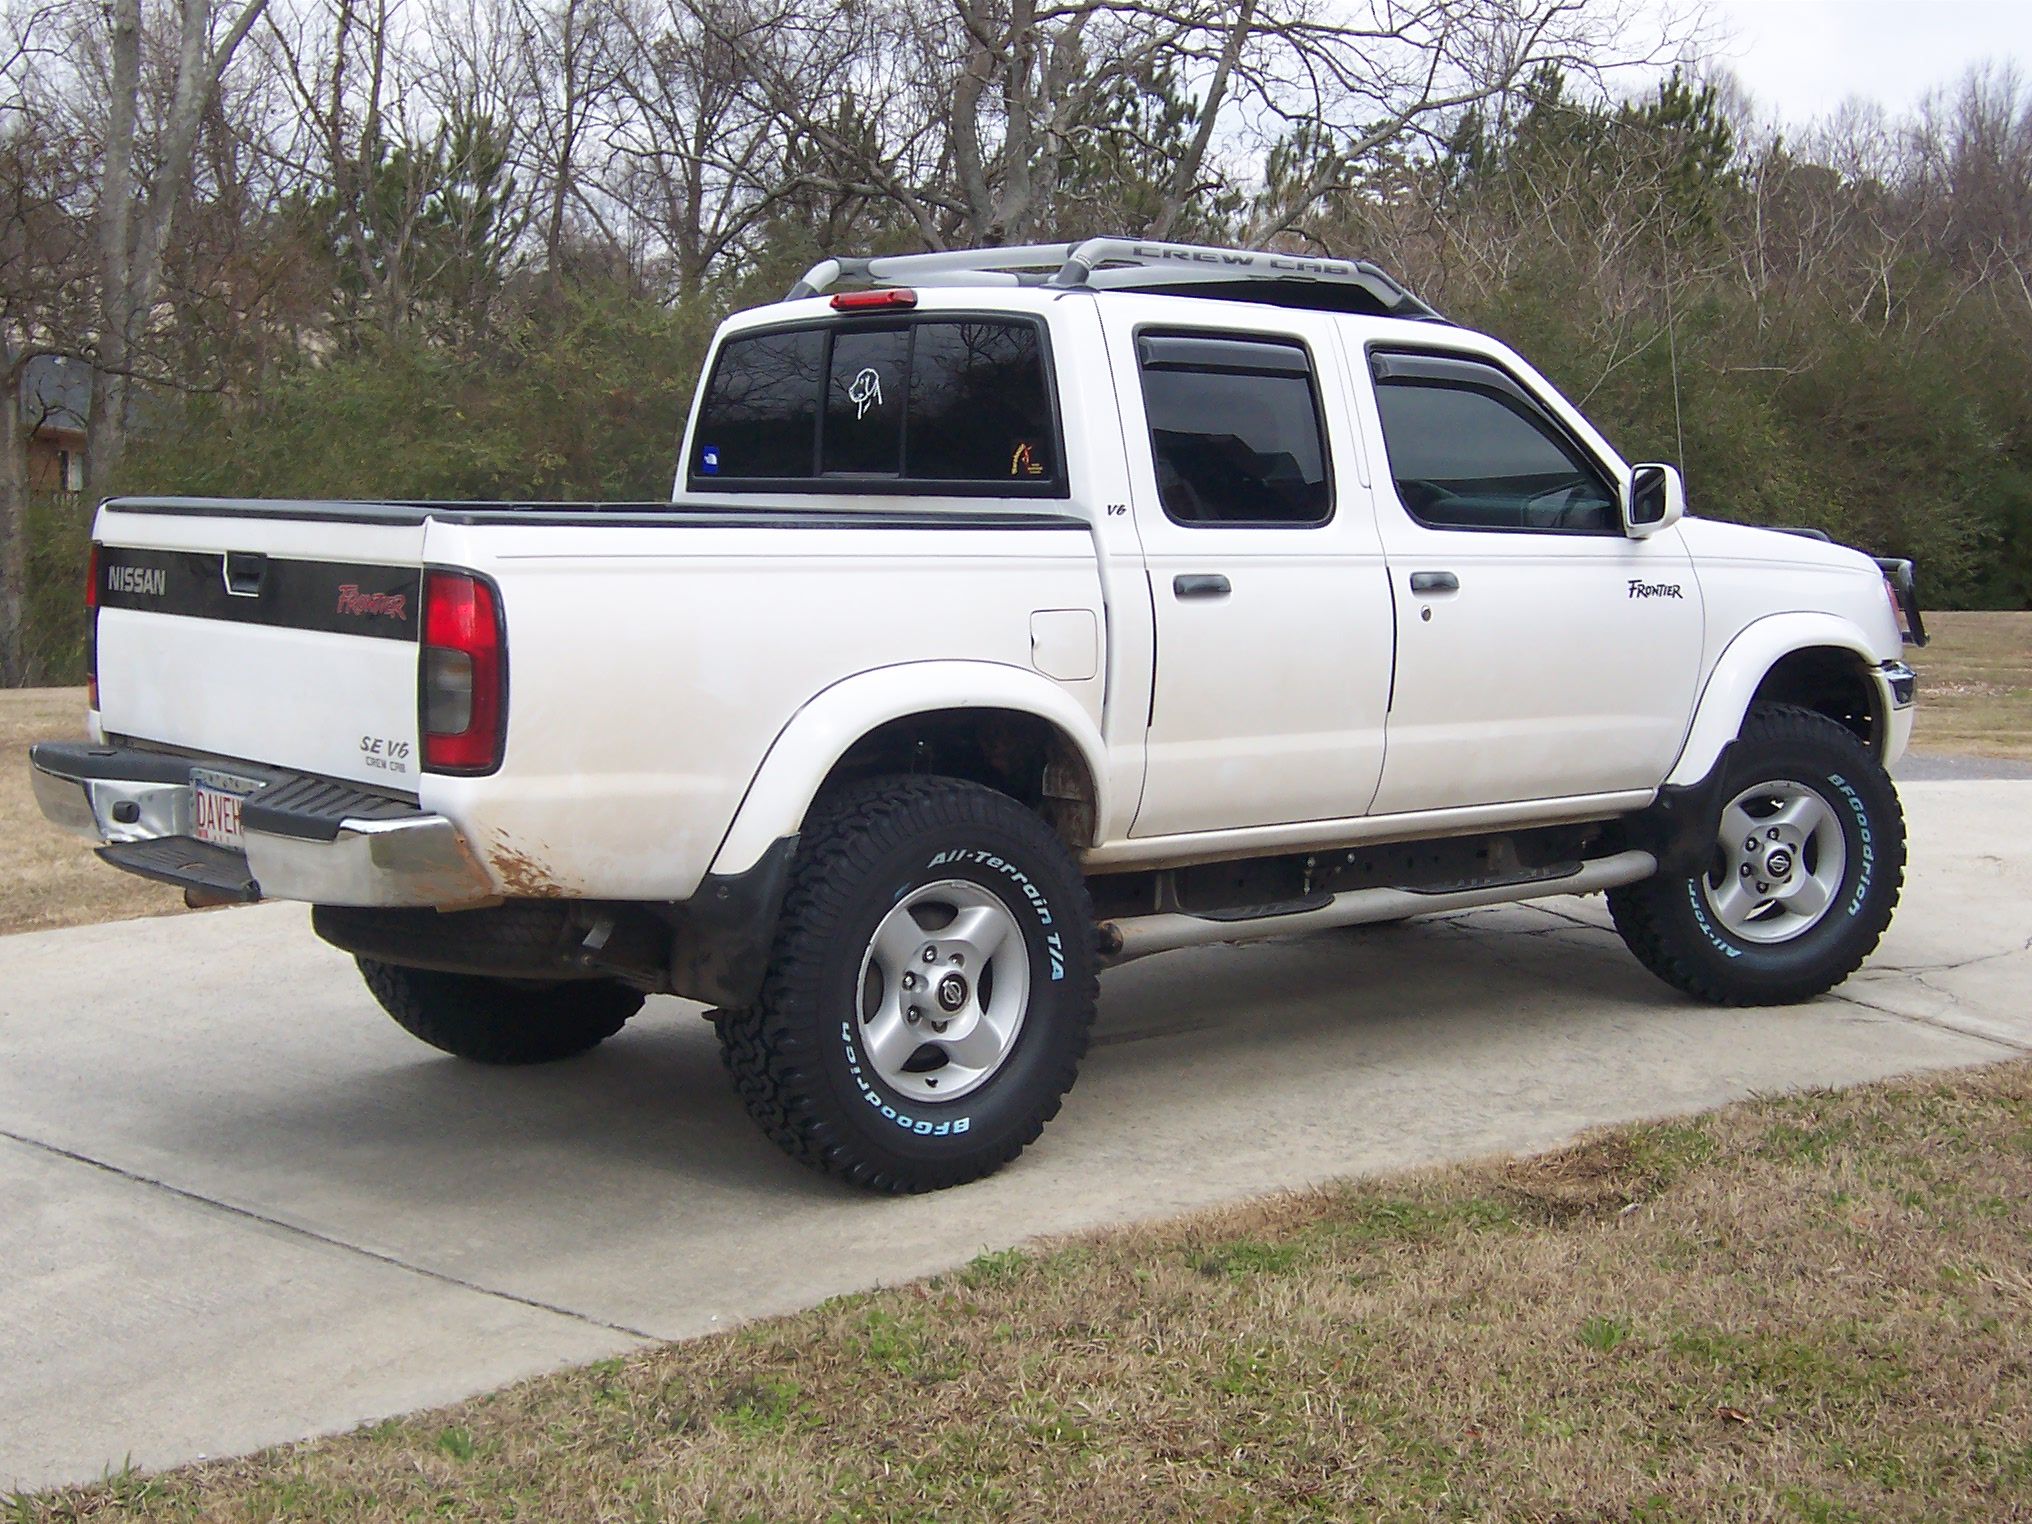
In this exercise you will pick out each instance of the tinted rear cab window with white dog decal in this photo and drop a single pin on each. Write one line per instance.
(930, 405)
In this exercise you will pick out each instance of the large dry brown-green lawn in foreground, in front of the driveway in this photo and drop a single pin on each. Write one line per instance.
(1814, 1308)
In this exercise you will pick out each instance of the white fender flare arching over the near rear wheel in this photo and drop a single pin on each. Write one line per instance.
(834, 720)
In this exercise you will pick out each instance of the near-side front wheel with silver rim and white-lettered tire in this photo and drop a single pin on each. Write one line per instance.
(1803, 877)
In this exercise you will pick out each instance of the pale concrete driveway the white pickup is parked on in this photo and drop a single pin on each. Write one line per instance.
(239, 1206)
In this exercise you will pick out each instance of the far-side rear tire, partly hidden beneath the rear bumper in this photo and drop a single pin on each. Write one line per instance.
(501, 1021)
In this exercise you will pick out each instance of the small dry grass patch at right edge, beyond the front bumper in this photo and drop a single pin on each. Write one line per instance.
(1976, 686)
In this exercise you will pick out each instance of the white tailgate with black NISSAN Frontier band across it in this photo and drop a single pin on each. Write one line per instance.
(281, 635)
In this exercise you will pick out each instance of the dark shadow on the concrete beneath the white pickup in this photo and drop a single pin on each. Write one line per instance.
(651, 1113)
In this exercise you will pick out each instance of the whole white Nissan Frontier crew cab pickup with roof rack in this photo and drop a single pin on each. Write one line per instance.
(1015, 615)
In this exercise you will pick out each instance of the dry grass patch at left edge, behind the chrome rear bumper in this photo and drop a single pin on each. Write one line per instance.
(50, 877)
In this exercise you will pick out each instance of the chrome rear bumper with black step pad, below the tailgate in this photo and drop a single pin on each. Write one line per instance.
(306, 838)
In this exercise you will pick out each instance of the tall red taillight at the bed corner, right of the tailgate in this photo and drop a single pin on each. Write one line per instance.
(464, 674)
